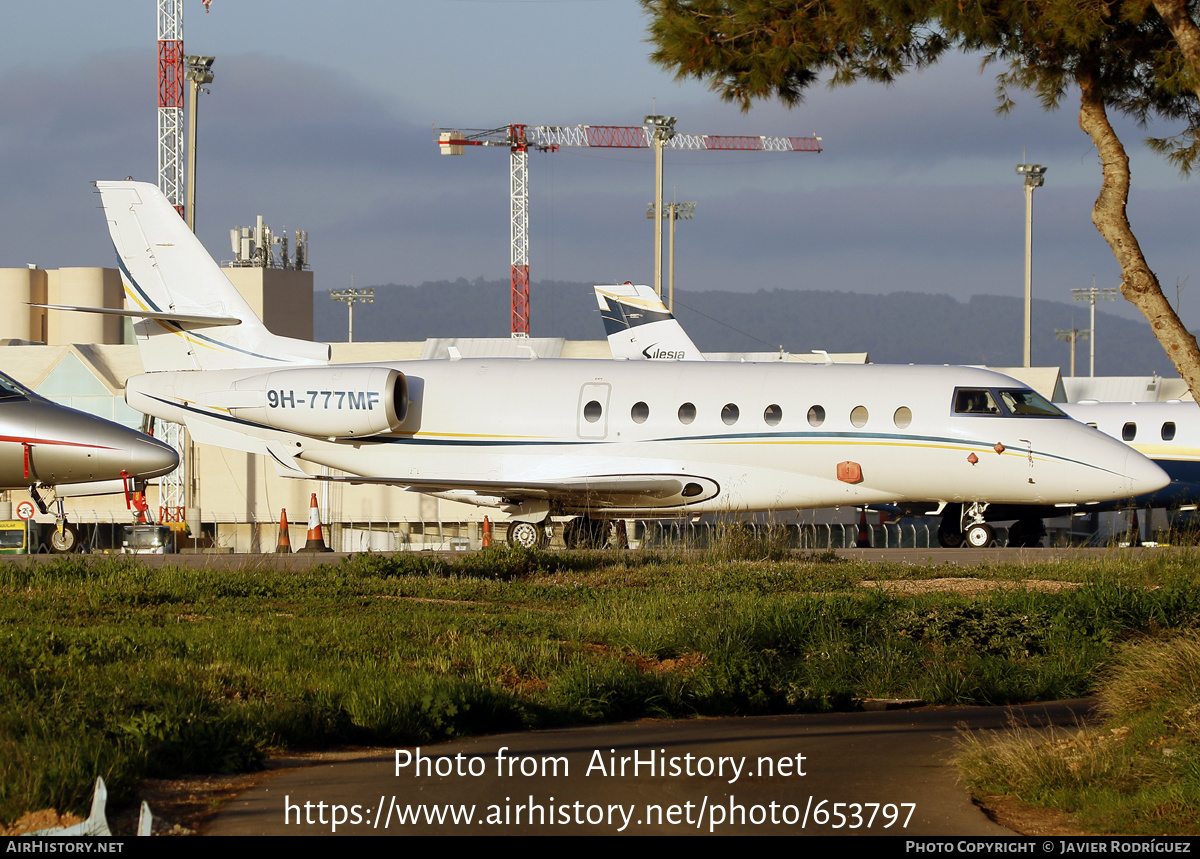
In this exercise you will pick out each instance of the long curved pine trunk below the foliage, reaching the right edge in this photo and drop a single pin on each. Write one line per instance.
(1139, 285)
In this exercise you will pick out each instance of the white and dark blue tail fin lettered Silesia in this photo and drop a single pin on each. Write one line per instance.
(640, 327)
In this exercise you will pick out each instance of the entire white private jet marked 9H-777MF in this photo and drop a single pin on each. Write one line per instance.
(593, 440)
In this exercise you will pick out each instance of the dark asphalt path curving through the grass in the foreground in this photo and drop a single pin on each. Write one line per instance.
(573, 783)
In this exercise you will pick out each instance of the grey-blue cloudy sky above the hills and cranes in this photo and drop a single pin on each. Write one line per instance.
(322, 118)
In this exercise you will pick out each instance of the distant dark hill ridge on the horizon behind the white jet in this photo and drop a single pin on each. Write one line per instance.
(901, 328)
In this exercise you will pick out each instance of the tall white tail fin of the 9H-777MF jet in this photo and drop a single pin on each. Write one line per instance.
(190, 316)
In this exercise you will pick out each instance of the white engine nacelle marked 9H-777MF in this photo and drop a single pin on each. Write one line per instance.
(329, 403)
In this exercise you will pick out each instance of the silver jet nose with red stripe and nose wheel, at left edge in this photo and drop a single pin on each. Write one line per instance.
(46, 447)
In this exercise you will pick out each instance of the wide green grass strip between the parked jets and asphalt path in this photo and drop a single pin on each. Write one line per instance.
(110, 669)
